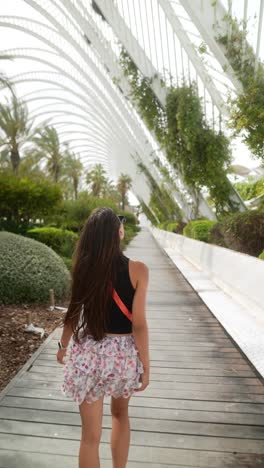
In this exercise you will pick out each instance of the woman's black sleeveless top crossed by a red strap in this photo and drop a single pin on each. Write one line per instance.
(118, 322)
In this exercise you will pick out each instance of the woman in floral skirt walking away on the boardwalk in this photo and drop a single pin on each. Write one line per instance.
(108, 353)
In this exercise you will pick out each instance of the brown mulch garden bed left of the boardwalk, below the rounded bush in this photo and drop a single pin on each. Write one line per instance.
(17, 346)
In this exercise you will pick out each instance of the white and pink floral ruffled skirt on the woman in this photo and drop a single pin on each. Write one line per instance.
(96, 368)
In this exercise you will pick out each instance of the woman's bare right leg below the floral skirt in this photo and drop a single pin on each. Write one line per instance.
(120, 437)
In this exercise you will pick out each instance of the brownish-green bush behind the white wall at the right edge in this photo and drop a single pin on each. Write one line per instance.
(243, 232)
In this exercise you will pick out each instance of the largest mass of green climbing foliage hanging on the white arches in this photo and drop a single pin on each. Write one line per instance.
(201, 153)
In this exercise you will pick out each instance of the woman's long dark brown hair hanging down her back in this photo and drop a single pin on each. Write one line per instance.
(95, 264)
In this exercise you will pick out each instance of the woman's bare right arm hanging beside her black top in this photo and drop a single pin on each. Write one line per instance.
(139, 324)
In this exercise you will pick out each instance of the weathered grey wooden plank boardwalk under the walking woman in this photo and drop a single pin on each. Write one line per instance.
(204, 407)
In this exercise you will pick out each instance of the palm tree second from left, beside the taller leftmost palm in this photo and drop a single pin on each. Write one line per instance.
(48, 147)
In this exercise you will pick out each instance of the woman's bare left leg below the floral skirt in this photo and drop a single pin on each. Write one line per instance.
(91, 416)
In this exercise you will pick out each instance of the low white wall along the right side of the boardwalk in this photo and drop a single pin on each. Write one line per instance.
(238, 274)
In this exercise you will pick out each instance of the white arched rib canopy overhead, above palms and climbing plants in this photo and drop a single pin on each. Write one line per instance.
(66, 64)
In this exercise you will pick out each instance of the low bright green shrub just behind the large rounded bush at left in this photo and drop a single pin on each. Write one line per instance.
(60, 240)
